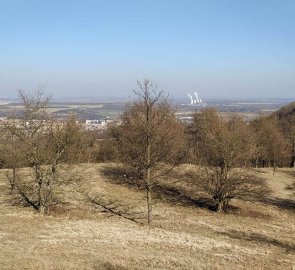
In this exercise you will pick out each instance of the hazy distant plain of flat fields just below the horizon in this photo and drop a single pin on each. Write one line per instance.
(99, 110)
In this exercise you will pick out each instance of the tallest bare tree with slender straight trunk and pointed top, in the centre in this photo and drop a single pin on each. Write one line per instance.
(149, 138)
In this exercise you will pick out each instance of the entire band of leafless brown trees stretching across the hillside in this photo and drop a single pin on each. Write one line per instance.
(150, 142)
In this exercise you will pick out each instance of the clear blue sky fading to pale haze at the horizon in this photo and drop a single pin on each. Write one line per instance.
(219, 48)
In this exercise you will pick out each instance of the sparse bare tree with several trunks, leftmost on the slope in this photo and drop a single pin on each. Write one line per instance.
(42, 143)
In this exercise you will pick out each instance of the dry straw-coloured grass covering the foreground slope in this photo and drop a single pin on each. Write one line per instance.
(79, 236)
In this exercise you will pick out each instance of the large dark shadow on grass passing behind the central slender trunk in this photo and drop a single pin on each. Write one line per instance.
(163, 192)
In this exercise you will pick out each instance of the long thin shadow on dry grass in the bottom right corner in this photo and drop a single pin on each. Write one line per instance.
(261, 239)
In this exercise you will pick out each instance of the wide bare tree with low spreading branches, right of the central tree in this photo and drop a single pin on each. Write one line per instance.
(225, 144)
